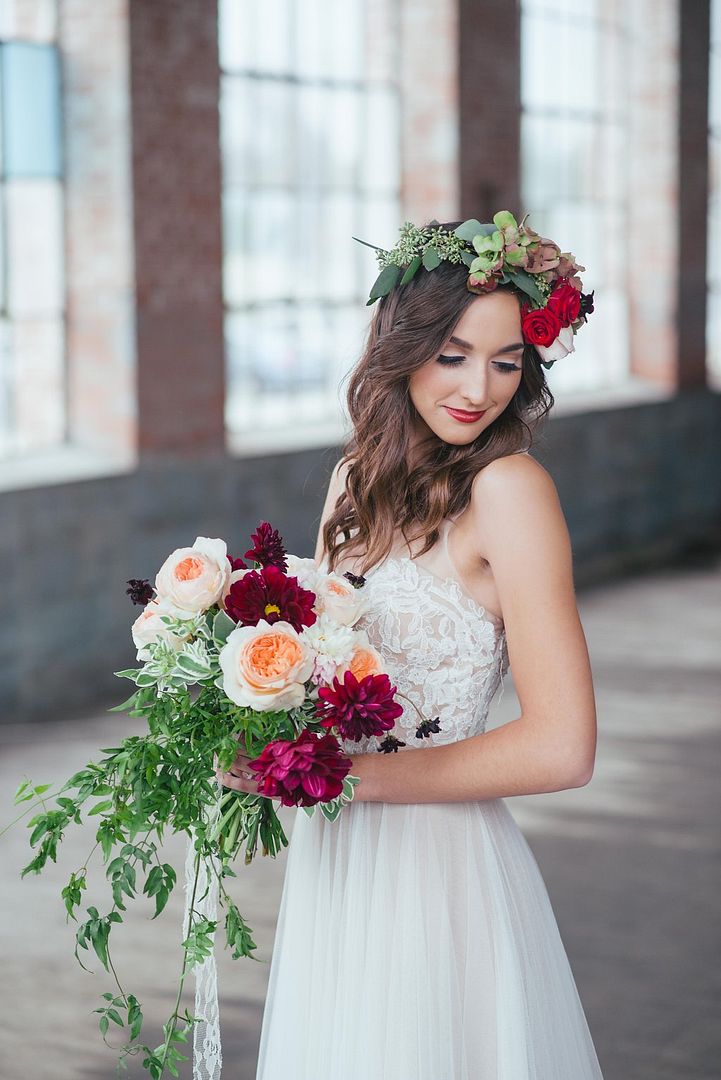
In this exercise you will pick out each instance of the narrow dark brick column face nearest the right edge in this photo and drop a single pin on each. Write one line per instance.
(693, 192)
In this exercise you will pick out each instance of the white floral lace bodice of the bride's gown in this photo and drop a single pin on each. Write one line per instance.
(442, 650)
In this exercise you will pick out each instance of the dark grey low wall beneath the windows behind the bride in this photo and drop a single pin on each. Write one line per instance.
(641, 487)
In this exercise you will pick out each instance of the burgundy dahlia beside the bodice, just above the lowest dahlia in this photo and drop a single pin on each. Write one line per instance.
(359, 709)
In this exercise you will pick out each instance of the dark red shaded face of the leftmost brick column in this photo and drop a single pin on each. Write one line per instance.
(179, 253)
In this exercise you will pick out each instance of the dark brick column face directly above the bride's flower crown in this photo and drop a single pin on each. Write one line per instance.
(489, 109)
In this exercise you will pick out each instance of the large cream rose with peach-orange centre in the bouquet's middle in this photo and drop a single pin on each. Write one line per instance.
(266, 667)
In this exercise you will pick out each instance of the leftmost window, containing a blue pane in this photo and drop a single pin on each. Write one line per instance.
(33, 414)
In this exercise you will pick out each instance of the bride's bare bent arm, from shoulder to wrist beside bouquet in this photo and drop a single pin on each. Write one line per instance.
(522, 532)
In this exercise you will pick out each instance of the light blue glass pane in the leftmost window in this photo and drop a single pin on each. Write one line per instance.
(31, 100)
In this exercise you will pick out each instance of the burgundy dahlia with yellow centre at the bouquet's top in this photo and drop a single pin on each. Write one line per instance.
(270, 595)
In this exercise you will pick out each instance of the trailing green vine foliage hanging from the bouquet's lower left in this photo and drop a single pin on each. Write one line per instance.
(148, 786)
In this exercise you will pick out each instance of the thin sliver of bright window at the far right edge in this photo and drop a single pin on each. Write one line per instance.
(714, 263)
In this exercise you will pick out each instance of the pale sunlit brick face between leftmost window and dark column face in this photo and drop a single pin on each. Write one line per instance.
(93, 40)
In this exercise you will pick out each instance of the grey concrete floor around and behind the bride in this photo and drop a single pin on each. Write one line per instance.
(632, 861)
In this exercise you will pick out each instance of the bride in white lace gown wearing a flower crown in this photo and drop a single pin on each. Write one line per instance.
(416, 939)
